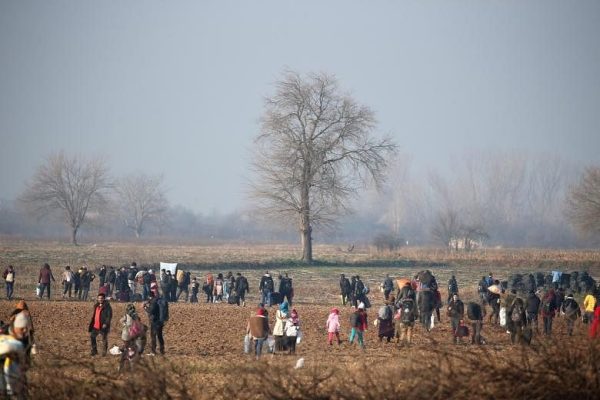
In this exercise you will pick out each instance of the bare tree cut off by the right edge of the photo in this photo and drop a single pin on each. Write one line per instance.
(584, 202)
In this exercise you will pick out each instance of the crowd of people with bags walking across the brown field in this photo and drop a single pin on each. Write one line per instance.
(416, 300)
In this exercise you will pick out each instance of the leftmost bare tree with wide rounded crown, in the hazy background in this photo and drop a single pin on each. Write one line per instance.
(71, 185)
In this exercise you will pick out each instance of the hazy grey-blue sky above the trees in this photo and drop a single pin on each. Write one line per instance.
(177, 87)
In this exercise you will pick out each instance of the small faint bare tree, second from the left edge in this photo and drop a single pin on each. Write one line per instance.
(141, 200)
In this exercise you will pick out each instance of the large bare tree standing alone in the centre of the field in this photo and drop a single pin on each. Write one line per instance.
(316, 148)
